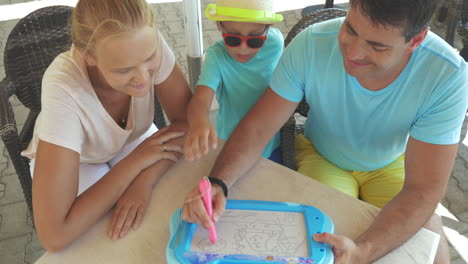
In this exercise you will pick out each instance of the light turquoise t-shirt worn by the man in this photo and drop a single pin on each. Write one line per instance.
(362, 130)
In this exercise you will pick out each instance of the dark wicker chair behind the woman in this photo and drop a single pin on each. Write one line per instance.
(30, 48)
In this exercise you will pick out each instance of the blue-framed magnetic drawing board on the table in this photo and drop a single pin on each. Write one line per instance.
(255, 232)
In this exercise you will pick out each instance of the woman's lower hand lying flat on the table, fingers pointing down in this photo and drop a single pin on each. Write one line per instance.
(130, 208)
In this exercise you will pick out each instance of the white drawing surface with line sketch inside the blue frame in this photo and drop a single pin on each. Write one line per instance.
(256, 233)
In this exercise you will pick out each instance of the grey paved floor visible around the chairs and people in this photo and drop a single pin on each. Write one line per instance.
(18, 242)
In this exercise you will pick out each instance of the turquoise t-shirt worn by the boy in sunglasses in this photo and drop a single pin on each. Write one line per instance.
(239, 85)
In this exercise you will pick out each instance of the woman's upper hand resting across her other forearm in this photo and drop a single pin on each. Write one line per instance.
(157, 147)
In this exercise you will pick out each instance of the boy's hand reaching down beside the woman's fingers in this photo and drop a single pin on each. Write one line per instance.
(199, 139)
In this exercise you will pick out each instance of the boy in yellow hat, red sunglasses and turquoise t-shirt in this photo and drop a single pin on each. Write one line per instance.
(237, 69)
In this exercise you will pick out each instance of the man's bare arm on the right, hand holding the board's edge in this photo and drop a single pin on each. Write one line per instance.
(427, 168)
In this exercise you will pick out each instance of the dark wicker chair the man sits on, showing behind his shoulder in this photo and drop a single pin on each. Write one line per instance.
(290, 130)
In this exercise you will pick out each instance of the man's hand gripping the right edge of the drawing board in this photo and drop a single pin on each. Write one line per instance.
(344, 249)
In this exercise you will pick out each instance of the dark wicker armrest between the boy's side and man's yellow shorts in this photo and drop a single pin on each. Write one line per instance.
(287, 134)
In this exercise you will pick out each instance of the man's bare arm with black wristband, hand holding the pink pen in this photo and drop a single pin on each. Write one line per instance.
(241, 152)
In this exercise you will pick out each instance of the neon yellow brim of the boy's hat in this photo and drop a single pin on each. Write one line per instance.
(222, 13)
